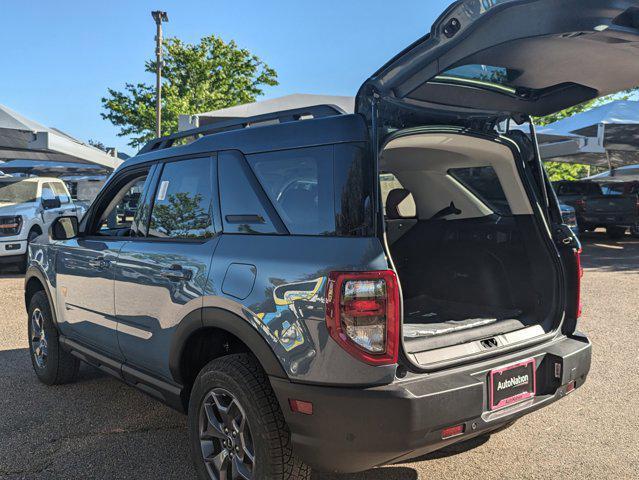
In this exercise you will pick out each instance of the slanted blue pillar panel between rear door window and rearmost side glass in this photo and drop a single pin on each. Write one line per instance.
(242, 209)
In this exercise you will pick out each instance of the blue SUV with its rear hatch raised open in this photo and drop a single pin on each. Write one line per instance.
(339, 291)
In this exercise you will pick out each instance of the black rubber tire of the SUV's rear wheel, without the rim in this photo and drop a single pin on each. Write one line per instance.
(242, 376)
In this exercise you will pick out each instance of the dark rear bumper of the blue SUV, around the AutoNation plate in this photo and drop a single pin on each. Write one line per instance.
(354, 429)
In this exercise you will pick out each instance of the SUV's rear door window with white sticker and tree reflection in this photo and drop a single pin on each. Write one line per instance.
(182, 204)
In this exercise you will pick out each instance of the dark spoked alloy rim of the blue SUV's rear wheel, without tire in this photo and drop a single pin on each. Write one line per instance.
(225, 437)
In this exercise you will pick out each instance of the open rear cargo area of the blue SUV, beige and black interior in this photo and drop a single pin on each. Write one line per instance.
(475, 270)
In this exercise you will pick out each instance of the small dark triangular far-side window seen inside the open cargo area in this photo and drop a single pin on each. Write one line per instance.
(484, 183)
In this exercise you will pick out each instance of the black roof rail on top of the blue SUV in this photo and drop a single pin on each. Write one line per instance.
(316, 111)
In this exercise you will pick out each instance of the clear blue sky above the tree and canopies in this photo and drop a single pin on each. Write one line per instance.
(59, 57)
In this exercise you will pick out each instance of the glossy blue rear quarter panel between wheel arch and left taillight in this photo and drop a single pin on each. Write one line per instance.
(286, 302)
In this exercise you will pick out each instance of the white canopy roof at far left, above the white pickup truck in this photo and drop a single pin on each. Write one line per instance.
(22, 138)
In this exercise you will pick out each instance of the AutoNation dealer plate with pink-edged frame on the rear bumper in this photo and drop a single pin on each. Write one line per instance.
(521, 389)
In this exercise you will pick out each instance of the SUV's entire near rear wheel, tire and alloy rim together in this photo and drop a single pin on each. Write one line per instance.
(228, 390)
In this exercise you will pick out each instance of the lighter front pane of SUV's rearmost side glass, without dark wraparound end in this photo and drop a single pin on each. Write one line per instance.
(299, 184)
